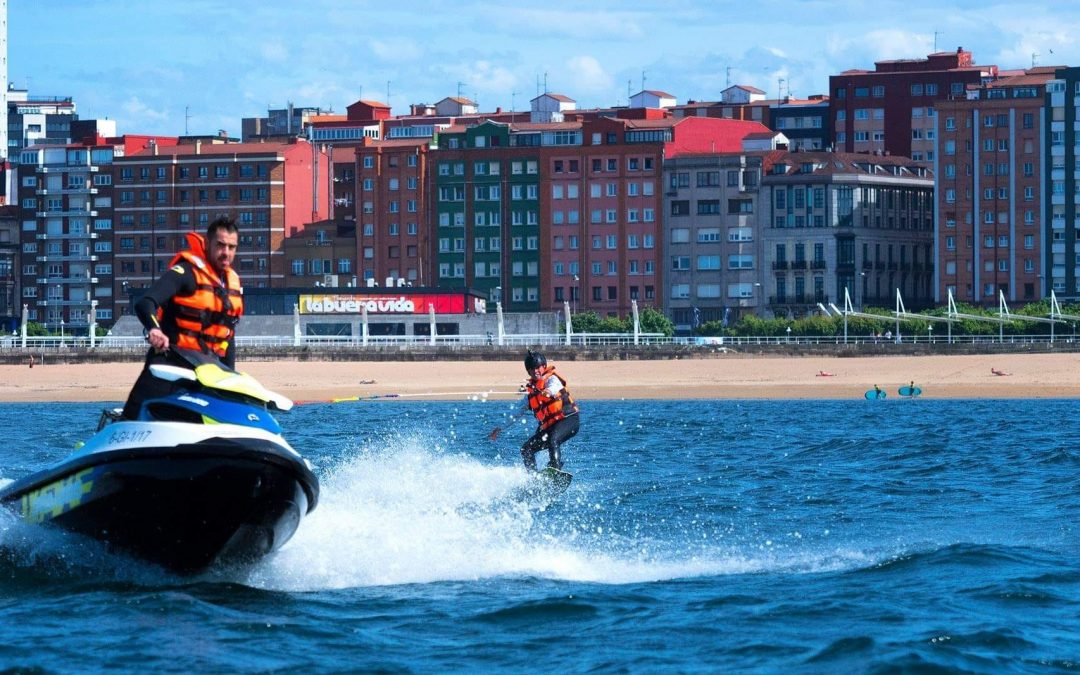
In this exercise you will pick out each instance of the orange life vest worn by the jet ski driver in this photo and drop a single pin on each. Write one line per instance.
(207, 320)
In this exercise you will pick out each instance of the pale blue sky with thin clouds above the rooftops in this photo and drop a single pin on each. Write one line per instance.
(171, 67)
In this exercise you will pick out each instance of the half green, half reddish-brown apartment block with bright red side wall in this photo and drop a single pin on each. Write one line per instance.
(542, 215)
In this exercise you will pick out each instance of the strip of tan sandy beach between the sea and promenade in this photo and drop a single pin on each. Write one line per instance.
(1024, 376)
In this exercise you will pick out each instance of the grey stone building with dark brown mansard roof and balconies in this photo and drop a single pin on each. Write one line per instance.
(838, 222)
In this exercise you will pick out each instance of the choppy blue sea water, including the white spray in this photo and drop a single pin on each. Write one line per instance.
(697, 536)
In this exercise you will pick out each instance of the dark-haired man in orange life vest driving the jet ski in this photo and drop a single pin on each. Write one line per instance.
(196, 306)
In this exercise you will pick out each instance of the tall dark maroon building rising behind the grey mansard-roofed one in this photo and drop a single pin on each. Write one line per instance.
(892, 110)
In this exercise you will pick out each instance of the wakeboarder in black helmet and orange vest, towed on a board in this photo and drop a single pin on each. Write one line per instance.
(551, 403)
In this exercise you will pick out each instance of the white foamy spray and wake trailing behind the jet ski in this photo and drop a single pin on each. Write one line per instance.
(407, 515)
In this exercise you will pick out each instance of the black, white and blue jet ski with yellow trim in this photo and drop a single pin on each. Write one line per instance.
(202, 479)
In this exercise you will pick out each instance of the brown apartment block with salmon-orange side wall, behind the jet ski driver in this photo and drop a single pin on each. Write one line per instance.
(273, 190)
